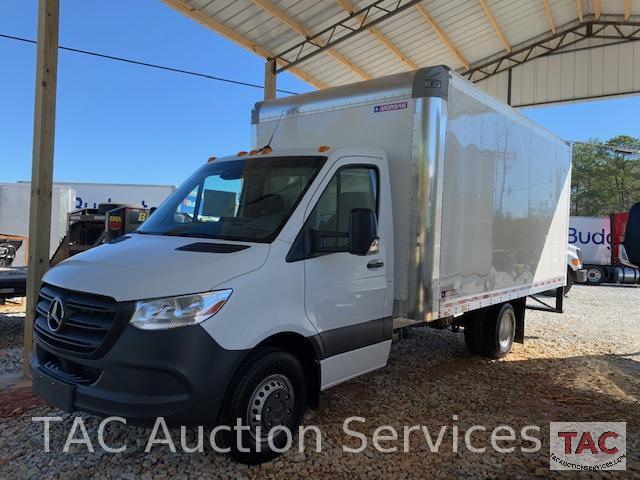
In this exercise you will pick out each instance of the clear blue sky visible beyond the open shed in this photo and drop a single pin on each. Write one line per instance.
(124, 123)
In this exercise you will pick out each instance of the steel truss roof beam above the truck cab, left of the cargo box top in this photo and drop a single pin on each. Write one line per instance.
(339, 32)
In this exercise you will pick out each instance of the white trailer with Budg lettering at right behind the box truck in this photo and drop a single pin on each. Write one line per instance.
(599, 239)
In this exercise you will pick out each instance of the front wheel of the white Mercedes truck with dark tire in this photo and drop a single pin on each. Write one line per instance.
(267, 392)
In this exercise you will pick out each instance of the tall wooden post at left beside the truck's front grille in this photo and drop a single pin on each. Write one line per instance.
(42, 164)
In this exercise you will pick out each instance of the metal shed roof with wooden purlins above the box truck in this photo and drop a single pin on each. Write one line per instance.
(523, 52)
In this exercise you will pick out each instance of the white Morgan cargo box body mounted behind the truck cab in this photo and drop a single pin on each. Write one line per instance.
(480, 193)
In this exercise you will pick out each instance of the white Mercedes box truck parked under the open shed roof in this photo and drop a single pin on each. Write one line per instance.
(272, 275)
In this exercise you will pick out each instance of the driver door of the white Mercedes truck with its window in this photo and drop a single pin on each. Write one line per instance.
(346, 294)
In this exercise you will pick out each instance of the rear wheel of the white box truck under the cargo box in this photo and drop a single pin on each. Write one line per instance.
(499, 330)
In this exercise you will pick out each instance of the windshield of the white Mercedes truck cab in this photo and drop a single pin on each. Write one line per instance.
(246, 199)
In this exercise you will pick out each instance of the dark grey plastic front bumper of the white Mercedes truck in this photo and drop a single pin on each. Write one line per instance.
(180, 374)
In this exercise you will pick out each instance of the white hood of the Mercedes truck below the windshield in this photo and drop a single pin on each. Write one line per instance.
(149, 266)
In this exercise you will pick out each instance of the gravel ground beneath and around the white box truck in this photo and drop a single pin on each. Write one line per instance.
(580, 366)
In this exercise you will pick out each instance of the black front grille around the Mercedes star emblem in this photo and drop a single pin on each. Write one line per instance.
(86, 322)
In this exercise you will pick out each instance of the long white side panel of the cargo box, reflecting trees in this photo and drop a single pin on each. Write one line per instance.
(505, 207)
